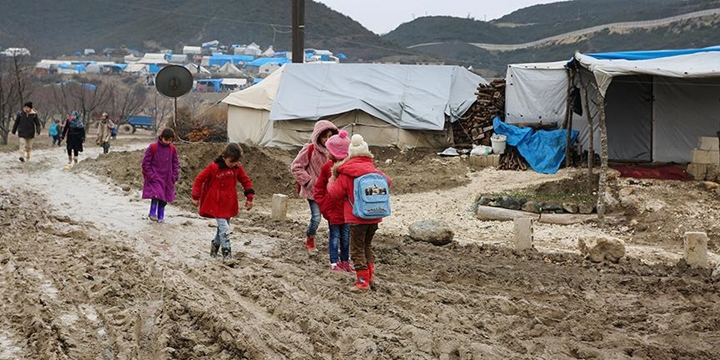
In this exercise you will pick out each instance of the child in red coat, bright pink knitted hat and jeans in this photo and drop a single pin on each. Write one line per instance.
(332, 209)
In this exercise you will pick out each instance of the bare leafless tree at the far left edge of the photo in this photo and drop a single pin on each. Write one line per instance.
(15, 86)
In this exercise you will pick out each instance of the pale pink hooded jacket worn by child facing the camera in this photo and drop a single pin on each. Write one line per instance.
(306, 172)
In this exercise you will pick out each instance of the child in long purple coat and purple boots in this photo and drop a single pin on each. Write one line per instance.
(160, 172)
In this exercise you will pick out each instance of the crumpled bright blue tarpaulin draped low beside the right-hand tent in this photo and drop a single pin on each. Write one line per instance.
(544, 150)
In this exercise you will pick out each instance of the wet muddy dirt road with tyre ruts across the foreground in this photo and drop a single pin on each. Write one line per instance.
(83, 275)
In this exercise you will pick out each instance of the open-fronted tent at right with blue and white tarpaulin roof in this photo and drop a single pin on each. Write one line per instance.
(658, 103)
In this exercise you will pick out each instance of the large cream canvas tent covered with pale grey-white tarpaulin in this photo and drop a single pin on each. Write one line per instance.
(401, 105)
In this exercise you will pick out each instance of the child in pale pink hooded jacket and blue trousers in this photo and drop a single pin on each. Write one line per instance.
(306, 167)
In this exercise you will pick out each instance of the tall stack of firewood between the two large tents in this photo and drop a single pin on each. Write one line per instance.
(475, 127)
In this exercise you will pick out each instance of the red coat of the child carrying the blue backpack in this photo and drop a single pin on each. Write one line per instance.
(343, 187)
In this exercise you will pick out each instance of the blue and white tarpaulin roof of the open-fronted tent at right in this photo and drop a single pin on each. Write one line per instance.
(688, 63)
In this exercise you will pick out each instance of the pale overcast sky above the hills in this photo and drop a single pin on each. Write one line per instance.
(382, 16)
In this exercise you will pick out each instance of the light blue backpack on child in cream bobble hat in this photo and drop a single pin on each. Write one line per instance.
(372, 197)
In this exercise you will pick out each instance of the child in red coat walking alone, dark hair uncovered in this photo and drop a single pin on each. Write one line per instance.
(215, 191)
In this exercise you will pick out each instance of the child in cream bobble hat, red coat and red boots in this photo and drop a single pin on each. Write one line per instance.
(341, 186)
